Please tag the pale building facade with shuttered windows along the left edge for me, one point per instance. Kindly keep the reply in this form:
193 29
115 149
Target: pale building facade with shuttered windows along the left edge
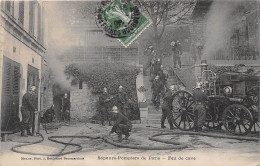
22 50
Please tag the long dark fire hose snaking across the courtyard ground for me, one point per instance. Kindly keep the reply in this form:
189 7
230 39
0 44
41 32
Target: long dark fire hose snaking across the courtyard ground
173 144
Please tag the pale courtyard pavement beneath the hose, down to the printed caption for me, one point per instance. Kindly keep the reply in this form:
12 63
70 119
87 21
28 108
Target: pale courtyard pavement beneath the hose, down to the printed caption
201 151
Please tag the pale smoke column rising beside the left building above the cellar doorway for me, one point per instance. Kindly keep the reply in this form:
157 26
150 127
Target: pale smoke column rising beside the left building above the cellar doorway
59 39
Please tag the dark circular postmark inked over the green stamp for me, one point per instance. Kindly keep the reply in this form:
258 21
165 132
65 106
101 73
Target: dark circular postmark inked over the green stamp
117 18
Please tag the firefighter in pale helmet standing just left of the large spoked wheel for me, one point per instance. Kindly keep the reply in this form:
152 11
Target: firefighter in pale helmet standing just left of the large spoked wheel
167 107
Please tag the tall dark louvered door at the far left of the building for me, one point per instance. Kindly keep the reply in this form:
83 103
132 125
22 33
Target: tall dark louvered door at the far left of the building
10 95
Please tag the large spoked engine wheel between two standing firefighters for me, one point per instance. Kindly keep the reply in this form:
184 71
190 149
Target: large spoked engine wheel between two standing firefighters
183 116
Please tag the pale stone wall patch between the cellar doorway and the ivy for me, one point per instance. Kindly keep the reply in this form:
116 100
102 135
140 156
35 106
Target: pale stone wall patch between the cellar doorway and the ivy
82 102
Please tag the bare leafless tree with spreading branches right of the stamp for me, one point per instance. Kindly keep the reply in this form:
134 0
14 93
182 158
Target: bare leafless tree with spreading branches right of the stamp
166 12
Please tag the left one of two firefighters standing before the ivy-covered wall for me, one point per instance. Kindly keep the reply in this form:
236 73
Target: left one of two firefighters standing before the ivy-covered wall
104 100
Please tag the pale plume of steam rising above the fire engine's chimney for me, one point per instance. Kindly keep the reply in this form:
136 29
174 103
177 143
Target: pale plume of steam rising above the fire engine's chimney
218 27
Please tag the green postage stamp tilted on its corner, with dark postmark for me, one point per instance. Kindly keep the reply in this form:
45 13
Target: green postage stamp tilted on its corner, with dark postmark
121 19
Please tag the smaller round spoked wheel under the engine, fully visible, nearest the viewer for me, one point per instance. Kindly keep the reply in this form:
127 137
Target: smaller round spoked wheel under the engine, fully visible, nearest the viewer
237 119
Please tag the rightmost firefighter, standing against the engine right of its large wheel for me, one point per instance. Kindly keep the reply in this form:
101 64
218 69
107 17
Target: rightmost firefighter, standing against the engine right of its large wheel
199 109
